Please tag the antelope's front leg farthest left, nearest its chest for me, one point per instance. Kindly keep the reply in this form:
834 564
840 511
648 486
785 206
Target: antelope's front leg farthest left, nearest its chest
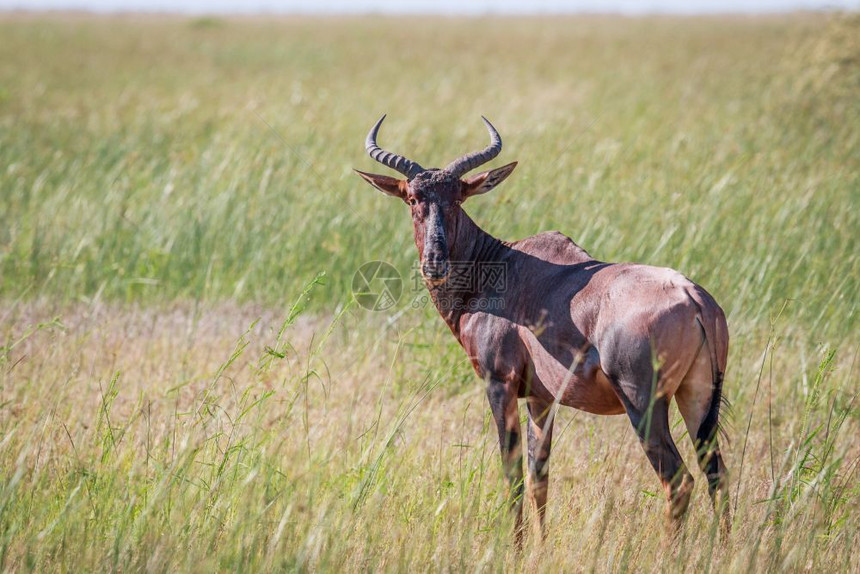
503 403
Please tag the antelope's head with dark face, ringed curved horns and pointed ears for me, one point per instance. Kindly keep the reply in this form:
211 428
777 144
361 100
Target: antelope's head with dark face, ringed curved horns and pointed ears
435 195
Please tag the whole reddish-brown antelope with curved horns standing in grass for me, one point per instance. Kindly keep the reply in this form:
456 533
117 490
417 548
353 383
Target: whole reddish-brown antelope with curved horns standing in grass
567 329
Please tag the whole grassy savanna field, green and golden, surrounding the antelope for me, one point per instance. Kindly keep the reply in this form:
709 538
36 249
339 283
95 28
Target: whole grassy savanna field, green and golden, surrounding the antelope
188 384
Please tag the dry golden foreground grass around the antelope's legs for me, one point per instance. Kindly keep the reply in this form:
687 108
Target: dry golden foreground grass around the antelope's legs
135 445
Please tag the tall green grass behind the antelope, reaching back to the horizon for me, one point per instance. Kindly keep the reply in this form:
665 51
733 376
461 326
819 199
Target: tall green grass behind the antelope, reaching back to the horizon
149 159
